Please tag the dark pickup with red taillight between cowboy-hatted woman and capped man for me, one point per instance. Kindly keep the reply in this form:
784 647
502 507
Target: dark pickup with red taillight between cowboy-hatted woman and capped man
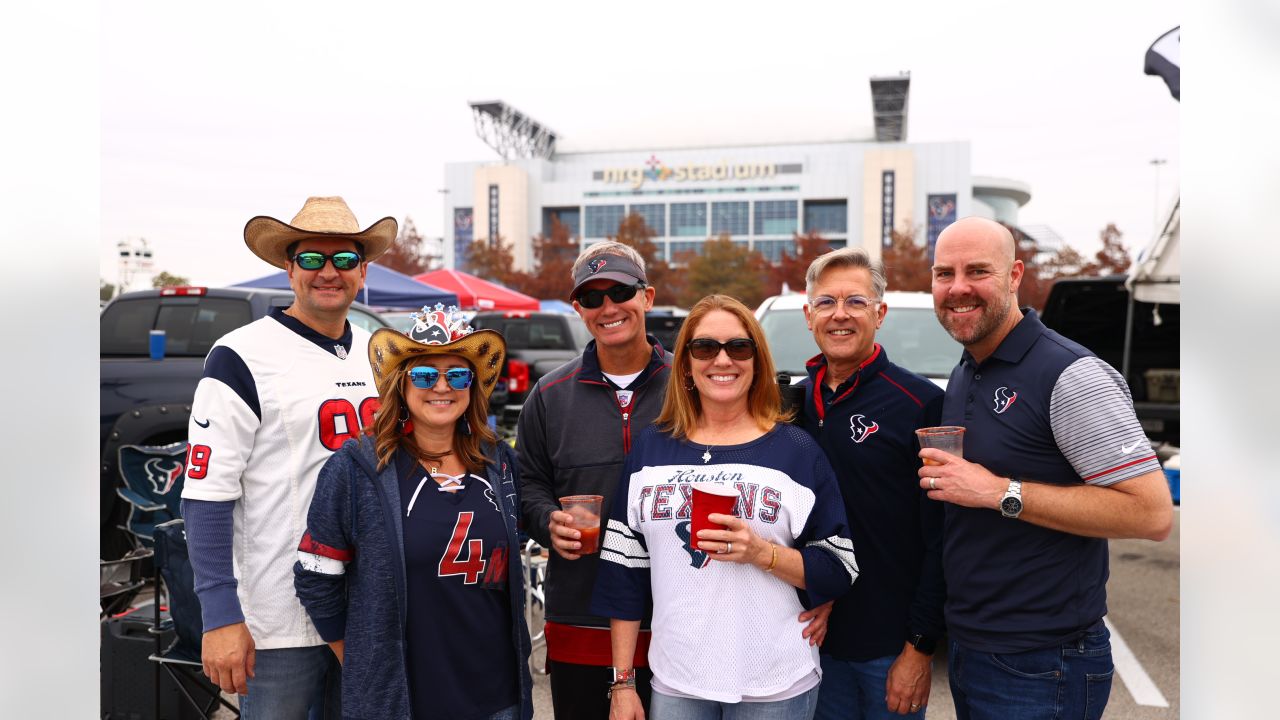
537 344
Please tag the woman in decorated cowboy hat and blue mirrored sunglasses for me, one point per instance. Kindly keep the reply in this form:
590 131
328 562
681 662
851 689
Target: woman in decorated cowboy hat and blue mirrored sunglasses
410 567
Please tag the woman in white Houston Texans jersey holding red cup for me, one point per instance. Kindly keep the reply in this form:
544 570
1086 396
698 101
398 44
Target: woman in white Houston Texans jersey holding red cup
729 605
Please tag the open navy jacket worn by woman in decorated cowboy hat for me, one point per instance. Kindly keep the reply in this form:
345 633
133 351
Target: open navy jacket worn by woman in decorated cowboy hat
355 517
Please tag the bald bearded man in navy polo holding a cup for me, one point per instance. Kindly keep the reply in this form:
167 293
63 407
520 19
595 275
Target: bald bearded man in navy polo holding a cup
1054 463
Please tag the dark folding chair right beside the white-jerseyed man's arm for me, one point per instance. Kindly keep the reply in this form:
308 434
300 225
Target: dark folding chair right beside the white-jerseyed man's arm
181 660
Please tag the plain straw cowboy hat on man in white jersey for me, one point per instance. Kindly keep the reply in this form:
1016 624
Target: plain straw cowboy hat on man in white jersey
326 218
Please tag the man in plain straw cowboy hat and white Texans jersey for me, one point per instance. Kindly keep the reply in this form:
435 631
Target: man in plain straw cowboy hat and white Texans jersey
277 399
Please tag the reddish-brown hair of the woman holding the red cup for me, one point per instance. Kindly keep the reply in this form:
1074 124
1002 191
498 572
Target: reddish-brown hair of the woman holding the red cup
683 408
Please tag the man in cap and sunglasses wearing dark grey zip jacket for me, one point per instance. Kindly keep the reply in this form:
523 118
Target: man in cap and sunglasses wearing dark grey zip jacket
575 432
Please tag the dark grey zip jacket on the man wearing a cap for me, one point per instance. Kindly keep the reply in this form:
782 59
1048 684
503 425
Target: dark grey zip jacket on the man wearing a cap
573 440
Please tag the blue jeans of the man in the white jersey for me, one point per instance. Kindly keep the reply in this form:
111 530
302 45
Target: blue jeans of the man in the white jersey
294 683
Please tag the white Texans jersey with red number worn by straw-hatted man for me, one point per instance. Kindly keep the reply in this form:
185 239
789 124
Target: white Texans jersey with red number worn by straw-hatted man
272 409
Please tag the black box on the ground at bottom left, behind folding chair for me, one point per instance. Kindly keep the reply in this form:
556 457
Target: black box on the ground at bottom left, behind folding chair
129 678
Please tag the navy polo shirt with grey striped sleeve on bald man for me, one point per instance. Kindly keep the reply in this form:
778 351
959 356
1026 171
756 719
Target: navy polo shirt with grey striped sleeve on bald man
1041 409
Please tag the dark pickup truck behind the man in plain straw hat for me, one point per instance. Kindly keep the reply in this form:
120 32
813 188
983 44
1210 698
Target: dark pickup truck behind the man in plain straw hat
147 402
